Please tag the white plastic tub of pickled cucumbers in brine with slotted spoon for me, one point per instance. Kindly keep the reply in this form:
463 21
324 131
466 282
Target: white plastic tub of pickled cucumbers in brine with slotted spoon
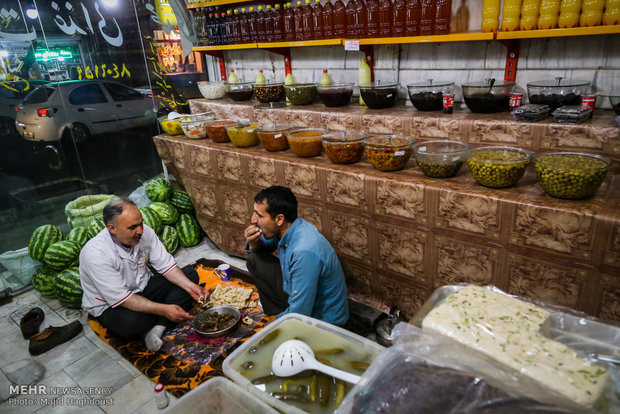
319 335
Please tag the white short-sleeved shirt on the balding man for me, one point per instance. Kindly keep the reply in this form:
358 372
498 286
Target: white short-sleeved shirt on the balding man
110 273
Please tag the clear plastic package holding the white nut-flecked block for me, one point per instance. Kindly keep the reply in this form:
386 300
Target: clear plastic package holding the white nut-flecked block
545 347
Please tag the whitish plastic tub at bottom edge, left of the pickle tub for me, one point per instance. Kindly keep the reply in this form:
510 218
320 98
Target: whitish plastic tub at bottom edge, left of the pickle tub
219 396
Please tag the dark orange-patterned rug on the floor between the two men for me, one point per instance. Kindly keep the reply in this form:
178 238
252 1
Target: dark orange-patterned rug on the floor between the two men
186 360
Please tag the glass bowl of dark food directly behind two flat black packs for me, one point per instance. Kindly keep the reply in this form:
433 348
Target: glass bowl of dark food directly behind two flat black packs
557 92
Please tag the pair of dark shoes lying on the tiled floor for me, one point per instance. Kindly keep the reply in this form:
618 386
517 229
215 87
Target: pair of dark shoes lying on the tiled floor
48 338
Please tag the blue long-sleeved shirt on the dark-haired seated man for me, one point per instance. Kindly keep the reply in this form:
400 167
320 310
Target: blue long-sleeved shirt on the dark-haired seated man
311 273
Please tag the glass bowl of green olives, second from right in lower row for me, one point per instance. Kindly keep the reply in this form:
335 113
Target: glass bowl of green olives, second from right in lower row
498 166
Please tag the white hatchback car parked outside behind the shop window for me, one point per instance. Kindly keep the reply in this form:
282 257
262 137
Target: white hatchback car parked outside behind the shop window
78 109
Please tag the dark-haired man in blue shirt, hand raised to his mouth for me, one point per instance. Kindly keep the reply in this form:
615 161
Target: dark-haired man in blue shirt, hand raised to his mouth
294 267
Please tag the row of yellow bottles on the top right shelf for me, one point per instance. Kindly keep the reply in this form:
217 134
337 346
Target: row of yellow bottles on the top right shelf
549 14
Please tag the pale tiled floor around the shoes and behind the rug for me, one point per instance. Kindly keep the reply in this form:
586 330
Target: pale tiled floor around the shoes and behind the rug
85 361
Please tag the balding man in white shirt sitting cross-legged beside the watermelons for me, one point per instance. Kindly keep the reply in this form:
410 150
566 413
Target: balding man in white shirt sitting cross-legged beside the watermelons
121 290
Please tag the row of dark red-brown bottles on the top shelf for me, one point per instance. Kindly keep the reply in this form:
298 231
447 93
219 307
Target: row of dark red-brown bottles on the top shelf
358 19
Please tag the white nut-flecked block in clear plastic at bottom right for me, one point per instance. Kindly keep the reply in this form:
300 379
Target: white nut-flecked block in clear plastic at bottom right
508 330
